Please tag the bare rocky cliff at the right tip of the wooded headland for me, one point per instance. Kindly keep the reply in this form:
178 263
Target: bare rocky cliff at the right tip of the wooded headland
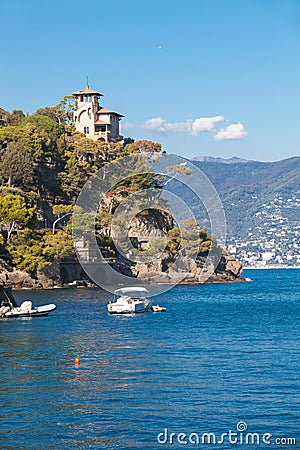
149 231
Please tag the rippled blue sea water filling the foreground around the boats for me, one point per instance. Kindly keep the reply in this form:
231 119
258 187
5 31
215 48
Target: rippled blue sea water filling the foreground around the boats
220 355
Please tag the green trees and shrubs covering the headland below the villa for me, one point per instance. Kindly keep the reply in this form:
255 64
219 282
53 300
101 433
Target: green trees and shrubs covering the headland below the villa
44 164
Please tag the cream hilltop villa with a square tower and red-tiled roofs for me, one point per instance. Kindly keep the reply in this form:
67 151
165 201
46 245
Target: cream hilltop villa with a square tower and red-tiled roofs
96 122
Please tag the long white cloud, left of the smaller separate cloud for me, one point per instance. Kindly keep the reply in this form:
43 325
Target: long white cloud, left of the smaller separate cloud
193 127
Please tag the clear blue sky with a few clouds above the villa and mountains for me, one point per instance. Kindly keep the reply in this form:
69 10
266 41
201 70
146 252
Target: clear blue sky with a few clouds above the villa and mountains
203 77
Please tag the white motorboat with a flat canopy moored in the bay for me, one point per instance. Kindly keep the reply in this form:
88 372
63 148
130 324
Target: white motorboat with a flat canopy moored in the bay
129 300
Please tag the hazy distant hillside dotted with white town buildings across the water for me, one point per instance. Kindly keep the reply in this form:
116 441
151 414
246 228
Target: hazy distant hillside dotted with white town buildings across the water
261 202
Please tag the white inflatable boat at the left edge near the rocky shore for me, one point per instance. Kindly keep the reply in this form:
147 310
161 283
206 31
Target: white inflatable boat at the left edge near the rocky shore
10 308
